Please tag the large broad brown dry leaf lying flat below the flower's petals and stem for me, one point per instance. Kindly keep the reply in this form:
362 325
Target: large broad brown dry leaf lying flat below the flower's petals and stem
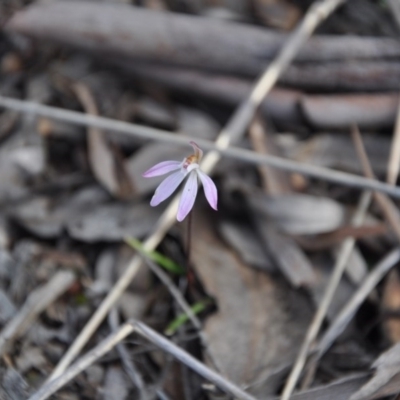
258 323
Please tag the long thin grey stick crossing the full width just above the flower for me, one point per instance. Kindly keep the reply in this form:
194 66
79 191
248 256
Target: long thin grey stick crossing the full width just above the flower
249 156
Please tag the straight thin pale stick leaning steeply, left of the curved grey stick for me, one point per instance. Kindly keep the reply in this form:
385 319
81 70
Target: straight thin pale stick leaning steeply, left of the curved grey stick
334 280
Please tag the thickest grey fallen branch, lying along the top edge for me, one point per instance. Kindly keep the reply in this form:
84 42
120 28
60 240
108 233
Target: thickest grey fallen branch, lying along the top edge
233 48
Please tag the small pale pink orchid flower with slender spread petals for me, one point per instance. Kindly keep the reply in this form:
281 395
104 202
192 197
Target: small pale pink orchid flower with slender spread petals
189 166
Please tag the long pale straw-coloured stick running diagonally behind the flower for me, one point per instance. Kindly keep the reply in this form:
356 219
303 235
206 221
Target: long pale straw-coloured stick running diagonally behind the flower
234 129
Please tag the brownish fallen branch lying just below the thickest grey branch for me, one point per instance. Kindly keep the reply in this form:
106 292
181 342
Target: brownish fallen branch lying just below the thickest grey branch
285 107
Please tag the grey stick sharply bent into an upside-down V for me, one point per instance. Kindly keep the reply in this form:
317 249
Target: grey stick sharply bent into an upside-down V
152 336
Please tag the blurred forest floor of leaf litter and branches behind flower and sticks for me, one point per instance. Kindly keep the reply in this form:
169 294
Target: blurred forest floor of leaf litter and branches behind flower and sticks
71 196
